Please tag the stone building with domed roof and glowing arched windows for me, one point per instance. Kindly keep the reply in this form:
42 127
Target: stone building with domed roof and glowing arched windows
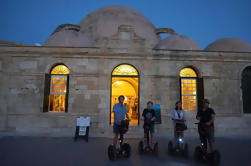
81 69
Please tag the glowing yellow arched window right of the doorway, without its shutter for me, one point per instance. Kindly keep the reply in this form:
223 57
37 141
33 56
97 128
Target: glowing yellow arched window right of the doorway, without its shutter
188 89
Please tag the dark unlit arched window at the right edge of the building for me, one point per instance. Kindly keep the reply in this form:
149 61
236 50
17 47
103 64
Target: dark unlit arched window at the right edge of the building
246 89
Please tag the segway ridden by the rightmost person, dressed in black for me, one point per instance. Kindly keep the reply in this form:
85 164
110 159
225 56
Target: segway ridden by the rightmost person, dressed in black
200 153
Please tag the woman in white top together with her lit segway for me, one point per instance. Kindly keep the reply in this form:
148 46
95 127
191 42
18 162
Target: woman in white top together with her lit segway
178 145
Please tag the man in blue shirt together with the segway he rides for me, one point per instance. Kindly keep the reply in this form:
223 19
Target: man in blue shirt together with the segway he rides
120 127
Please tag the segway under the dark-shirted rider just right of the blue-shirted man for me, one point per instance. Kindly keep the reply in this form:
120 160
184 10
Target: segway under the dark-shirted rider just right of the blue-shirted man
148 148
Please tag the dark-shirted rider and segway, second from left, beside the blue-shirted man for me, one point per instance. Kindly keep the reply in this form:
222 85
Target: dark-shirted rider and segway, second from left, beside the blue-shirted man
147 145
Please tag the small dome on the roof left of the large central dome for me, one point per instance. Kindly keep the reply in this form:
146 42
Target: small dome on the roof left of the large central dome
68 38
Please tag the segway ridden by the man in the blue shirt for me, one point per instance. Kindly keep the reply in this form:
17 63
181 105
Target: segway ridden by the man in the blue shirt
124 149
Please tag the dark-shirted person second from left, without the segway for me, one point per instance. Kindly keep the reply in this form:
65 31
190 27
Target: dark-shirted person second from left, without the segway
148 116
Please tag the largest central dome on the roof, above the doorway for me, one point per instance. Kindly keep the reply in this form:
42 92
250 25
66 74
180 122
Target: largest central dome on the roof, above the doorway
104 23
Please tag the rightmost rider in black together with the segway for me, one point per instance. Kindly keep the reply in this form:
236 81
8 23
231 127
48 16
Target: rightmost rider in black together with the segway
204 152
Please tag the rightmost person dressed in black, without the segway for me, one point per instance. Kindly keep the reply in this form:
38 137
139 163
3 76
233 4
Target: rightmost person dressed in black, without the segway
206 117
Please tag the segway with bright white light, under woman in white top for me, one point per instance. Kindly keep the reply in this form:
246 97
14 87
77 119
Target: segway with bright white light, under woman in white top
178 146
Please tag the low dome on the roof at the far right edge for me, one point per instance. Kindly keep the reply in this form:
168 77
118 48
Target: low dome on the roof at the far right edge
229 44
